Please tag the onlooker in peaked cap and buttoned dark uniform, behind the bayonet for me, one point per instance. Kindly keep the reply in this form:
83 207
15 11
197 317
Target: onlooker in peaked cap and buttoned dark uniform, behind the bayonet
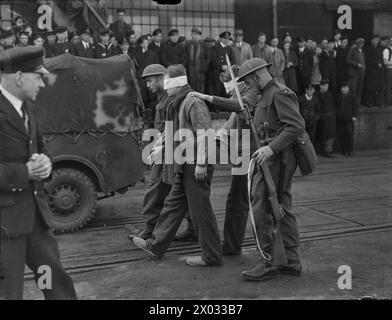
219 63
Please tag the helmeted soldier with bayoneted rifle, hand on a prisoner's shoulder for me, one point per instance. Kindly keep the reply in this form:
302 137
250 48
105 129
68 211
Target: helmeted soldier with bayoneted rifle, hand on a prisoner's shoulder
277 120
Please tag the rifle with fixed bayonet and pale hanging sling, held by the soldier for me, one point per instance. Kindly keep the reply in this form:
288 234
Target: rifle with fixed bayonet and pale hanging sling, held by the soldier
279 252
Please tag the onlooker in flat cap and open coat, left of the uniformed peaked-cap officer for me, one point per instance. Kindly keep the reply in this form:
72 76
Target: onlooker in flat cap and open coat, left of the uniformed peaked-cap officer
198 58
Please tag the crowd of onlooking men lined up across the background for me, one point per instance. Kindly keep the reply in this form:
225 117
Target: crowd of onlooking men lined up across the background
334 68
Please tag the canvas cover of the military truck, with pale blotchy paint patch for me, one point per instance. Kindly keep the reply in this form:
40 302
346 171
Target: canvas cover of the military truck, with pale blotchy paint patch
86 95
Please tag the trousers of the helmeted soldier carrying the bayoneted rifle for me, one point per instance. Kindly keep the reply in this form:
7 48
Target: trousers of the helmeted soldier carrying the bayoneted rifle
282 169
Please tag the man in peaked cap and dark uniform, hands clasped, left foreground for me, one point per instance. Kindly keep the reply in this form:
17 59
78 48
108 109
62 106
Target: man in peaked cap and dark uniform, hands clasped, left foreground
24 167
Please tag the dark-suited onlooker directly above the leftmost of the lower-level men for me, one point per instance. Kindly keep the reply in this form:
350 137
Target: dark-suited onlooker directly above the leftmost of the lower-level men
305 65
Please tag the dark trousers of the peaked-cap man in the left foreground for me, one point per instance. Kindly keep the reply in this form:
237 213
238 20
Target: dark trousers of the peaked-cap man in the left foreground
35 250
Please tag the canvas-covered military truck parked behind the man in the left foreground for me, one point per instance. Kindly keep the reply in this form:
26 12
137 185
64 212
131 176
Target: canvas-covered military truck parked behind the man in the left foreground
90 116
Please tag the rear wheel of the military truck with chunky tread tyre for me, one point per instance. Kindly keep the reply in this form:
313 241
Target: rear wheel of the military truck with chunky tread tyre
72 199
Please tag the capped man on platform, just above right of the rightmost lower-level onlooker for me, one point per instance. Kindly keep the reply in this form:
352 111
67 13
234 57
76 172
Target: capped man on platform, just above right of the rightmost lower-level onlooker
356 62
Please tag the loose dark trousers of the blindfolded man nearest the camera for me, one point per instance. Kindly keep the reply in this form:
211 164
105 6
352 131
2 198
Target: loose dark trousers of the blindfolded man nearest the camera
188 194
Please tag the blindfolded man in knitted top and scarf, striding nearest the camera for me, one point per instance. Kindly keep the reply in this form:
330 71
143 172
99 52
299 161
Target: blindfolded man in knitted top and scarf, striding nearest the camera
192 186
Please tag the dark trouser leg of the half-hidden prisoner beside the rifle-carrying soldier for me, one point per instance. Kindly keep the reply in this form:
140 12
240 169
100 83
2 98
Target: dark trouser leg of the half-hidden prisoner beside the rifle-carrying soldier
237 210
